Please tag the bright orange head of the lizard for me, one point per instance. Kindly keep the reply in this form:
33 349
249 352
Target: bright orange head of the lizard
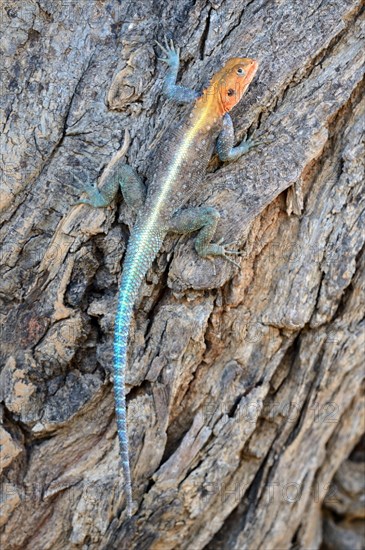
229 84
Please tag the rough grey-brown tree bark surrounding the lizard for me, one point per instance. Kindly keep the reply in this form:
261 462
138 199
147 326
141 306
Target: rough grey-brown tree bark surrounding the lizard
245 388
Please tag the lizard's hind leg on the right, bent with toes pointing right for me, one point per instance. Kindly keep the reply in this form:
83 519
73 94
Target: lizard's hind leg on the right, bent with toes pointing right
205 219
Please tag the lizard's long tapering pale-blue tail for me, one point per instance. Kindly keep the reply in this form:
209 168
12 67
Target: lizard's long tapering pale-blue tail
142 249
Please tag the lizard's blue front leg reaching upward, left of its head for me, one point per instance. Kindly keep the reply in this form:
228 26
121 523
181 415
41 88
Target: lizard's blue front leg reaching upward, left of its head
181 94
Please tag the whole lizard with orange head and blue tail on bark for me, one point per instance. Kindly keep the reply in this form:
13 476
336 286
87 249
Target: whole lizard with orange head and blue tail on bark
176 169
